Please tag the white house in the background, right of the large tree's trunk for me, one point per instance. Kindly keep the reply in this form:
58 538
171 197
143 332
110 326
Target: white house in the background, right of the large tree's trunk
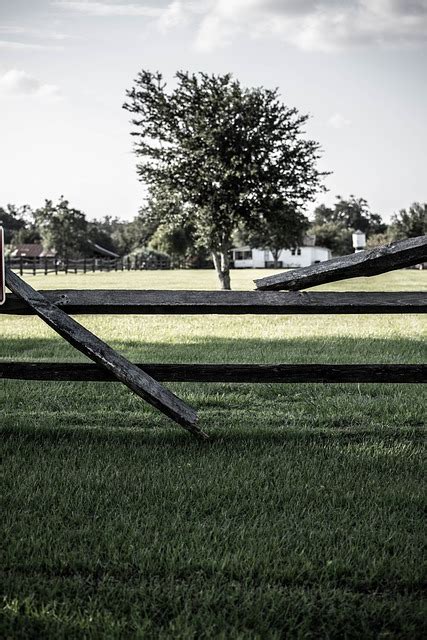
304 256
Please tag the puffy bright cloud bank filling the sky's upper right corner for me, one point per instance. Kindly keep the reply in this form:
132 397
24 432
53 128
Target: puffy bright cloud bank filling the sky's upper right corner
315 25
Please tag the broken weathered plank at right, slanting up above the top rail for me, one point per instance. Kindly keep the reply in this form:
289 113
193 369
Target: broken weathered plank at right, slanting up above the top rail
397 255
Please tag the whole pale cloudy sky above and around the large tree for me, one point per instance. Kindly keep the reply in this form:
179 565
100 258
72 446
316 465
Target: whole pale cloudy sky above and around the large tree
357 66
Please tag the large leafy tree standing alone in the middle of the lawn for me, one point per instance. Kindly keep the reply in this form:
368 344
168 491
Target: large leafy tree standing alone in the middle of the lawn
231 154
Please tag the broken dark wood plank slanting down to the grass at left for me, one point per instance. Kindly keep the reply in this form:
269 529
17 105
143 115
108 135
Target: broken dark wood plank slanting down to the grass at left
79 337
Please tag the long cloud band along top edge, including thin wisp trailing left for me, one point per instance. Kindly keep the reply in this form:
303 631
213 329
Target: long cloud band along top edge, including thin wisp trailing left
311 25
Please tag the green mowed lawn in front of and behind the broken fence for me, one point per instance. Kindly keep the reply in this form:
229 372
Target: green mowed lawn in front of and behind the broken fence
302 518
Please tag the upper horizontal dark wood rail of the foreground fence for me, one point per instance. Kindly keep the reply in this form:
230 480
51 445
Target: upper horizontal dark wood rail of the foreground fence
224 302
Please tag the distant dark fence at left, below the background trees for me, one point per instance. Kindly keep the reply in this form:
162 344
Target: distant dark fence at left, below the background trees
85 265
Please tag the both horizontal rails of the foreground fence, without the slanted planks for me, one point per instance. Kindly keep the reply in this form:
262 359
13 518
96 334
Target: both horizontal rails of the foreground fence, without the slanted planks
225 302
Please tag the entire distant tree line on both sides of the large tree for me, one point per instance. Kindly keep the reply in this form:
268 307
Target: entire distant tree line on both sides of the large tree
67 230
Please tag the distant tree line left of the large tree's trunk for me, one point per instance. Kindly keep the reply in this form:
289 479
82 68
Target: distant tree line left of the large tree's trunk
68 231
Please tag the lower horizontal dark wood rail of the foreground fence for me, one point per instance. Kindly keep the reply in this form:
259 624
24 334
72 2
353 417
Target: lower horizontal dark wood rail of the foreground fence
254 373
